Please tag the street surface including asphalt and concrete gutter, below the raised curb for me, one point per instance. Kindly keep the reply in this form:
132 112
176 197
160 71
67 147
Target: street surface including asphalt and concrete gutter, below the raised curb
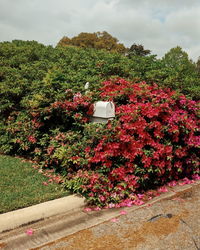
169 213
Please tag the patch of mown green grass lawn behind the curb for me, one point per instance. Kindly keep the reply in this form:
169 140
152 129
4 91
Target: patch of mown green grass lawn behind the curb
21 185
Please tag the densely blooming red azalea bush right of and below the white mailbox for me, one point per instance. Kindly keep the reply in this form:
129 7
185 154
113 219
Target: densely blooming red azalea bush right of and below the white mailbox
153 140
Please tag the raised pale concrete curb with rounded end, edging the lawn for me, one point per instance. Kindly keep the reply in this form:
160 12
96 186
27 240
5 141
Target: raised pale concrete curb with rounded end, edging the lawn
14 219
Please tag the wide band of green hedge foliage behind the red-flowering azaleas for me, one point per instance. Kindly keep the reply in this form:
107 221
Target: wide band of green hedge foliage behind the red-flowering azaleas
34 74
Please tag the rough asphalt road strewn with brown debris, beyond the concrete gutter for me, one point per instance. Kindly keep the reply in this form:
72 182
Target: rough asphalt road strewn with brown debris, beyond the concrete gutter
168 224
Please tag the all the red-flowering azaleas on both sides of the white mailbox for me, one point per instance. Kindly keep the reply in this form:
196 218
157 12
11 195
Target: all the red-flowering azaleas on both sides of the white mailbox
153 140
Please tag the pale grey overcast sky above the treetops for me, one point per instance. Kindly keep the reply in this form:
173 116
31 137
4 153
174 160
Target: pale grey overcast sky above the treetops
156 24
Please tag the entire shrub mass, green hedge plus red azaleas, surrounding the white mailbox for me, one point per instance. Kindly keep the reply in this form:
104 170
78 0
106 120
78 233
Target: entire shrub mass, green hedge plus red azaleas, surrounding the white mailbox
44 115
